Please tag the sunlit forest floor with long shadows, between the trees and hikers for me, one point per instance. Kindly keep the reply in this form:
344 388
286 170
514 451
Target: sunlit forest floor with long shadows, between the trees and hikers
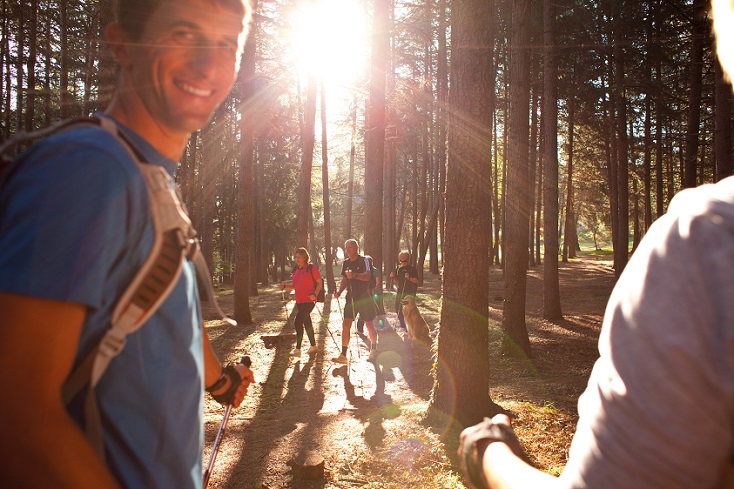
367 420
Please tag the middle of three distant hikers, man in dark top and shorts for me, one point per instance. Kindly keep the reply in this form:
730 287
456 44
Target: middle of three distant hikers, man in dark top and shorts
356 274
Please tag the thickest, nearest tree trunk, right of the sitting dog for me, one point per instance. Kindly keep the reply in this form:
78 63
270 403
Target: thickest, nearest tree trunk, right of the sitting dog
461 376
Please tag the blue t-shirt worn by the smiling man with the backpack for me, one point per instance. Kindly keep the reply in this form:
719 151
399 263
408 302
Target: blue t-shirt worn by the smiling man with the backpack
75 226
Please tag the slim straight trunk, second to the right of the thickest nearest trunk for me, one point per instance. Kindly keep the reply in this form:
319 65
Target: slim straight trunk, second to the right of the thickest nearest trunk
551 289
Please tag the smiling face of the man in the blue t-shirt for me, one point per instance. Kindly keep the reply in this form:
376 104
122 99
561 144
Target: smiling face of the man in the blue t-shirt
185 62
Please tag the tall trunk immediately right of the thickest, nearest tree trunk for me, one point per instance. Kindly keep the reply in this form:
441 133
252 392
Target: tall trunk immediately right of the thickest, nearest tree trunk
518 183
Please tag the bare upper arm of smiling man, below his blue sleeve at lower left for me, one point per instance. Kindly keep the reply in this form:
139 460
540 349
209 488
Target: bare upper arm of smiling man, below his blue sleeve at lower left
41 444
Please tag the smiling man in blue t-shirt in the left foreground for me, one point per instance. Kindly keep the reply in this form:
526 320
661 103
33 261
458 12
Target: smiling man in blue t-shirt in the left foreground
75 227
